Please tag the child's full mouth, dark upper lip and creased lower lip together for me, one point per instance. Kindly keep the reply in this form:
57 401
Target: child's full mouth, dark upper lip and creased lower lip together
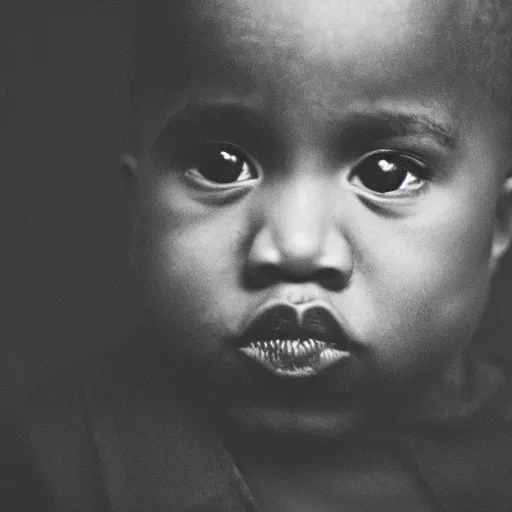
296 342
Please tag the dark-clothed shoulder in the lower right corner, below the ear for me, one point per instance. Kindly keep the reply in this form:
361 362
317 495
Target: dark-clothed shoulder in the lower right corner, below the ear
467 466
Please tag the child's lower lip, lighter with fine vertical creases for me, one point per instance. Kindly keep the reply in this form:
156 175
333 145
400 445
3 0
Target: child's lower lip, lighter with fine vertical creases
294 358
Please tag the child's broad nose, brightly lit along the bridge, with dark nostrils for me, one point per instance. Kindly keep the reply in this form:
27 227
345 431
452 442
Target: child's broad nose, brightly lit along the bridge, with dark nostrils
300 239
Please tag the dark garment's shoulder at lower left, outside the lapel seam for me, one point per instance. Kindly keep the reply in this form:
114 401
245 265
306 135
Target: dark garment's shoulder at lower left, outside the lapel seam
47 438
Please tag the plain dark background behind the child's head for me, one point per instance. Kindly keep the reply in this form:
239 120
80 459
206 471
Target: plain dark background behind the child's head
65 231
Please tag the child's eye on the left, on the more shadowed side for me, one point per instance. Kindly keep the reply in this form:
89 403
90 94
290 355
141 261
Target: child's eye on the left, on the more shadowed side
221 163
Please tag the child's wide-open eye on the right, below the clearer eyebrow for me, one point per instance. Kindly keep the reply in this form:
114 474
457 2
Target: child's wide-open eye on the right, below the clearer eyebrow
387 172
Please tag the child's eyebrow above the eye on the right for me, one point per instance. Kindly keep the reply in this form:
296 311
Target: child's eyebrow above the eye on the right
386 123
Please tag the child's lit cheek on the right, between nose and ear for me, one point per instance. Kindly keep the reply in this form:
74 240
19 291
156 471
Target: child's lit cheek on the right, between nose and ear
427 303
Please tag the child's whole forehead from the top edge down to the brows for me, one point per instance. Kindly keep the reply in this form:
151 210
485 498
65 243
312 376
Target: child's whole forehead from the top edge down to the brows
301 53
